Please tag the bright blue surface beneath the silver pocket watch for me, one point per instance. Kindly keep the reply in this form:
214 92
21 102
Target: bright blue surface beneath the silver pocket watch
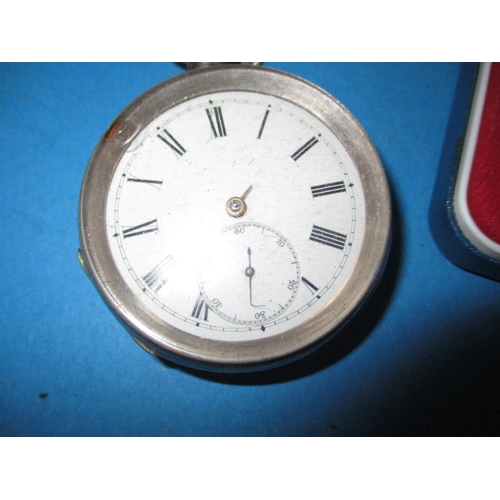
421 358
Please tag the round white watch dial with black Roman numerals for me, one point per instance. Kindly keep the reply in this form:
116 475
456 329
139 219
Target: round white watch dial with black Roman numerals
166 214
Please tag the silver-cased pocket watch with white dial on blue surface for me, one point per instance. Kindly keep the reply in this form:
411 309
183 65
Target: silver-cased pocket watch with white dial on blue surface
234 218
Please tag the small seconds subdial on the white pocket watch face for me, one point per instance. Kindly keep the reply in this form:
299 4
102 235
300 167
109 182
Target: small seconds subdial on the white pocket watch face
251 275
